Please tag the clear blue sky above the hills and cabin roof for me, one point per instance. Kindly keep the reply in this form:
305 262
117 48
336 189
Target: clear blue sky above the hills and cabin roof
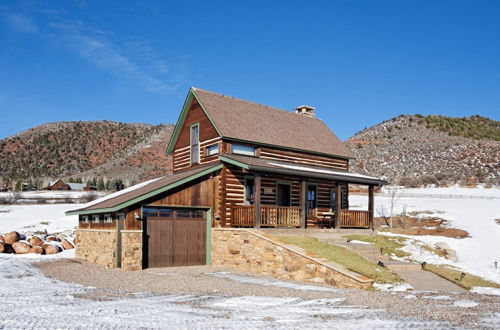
357 62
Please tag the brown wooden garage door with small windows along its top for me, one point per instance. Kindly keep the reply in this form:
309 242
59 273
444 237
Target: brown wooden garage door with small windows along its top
176 237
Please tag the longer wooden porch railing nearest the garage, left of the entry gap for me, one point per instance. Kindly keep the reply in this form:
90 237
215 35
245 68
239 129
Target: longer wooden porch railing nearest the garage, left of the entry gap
270 216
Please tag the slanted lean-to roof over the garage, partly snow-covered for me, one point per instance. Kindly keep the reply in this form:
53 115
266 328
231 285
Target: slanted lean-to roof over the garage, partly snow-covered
142 190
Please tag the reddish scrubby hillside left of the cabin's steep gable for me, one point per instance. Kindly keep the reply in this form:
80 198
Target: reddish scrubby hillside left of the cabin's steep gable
86 149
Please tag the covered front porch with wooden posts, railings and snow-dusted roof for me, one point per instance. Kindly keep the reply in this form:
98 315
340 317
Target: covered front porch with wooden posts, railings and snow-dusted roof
298 196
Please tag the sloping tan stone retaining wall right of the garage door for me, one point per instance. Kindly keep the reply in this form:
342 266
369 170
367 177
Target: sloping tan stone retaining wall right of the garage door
249 251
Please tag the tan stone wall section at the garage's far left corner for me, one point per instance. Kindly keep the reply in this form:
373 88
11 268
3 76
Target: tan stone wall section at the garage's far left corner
96 246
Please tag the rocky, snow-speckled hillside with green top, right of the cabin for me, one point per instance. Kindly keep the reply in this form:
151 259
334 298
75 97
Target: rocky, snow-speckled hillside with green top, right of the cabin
430 150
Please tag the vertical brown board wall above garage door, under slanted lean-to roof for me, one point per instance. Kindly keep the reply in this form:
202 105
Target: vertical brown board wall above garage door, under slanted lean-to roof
202 192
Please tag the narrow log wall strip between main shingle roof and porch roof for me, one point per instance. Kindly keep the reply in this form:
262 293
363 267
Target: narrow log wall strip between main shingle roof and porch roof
304 158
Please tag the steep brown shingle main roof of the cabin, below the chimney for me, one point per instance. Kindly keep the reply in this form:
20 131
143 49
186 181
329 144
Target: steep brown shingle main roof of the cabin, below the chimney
243 120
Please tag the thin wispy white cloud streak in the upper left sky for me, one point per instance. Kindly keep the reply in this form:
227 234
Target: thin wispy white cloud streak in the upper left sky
134 62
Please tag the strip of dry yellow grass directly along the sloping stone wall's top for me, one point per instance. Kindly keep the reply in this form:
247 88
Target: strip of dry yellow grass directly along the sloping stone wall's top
349 259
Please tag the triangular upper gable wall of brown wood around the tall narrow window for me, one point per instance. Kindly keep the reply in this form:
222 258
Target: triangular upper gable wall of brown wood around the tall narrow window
208 136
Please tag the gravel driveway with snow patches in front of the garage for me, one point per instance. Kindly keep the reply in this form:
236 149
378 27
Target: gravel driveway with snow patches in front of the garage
469 310
